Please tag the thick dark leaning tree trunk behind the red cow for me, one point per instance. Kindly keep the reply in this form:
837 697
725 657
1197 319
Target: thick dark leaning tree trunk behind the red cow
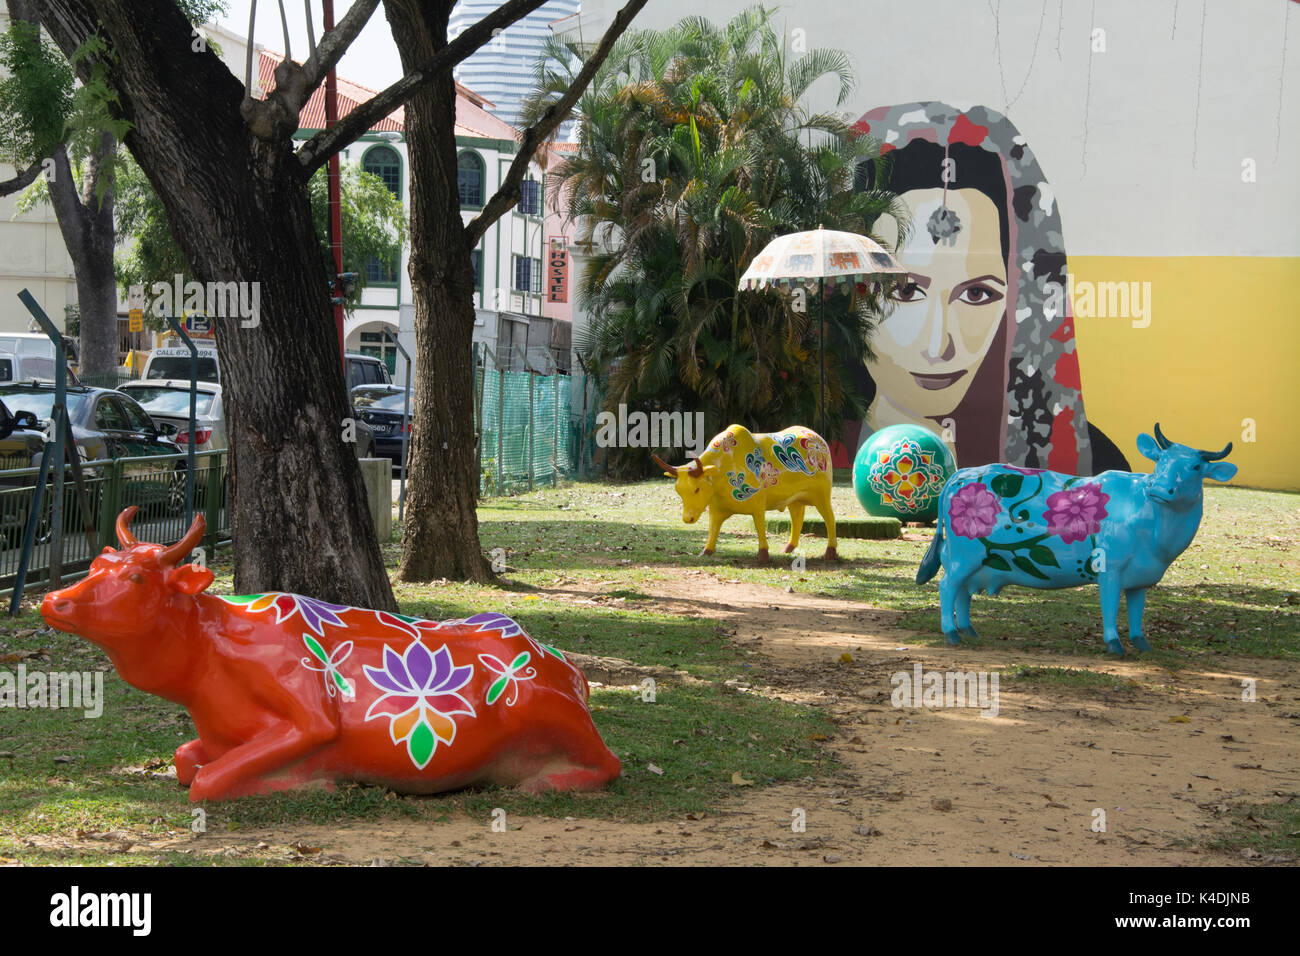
241 214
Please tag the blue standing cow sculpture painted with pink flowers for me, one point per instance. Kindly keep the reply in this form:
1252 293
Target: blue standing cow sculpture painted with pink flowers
1000 526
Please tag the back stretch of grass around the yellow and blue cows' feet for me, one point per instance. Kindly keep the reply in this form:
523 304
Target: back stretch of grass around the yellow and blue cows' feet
1232 592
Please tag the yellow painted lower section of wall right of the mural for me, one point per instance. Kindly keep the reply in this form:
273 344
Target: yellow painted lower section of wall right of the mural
1220 352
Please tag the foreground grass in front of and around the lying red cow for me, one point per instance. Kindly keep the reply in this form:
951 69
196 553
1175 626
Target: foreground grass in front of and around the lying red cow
699 736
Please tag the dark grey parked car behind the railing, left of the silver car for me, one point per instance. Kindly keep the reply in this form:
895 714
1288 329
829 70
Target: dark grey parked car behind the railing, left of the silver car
110 425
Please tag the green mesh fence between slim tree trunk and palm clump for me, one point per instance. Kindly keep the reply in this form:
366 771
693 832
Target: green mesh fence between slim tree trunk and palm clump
526 432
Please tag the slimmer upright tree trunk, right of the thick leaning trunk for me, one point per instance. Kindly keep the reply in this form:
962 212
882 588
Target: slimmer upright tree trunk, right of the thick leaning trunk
440 538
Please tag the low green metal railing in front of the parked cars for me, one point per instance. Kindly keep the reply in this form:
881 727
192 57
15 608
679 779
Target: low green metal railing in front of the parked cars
155 486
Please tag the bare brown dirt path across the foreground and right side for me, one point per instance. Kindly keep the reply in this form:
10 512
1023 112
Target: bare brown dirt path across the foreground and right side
1162 756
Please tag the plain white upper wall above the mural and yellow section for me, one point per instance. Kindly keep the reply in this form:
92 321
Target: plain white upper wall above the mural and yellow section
1117 149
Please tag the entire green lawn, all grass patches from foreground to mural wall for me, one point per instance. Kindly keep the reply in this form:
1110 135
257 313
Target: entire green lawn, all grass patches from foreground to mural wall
1232 592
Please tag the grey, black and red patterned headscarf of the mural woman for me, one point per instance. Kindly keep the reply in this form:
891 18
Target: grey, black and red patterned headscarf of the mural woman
1042 422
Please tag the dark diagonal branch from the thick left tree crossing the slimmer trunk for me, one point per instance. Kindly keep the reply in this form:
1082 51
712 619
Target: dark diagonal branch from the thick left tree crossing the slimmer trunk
326 144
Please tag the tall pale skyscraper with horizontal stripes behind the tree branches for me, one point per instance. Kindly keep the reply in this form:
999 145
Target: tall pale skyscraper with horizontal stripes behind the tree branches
504 70
